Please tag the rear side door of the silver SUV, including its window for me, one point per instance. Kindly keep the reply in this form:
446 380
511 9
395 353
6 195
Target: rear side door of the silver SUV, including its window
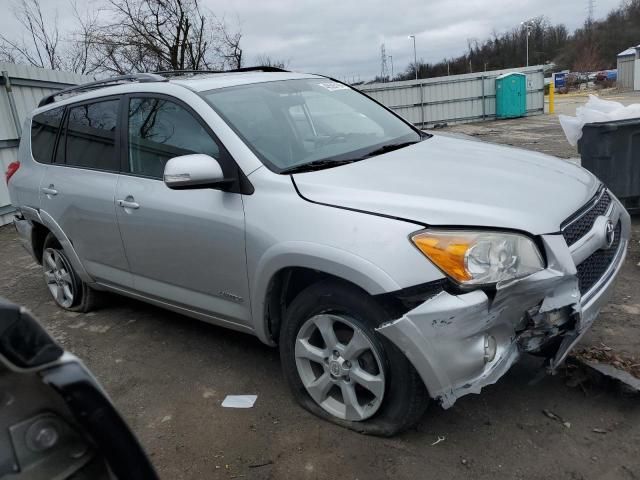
78 189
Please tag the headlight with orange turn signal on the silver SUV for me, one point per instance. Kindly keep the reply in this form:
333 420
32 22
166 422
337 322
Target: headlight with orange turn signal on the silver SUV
474 258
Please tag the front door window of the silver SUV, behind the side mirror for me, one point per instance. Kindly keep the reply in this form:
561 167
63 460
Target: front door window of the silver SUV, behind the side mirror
160 129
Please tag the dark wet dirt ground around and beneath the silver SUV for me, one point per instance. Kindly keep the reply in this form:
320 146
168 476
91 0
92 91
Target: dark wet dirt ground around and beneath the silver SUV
168 375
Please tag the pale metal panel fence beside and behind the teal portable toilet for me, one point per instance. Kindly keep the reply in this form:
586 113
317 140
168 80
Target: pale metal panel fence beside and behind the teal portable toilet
453 99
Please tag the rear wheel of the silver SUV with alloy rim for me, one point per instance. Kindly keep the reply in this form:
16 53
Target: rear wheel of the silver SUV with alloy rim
64 284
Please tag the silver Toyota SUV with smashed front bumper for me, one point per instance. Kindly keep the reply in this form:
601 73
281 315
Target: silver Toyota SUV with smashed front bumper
390 266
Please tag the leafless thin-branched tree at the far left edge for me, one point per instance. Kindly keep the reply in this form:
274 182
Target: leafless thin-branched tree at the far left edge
40 46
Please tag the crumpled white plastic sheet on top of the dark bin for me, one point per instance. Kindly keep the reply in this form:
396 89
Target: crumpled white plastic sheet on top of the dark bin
595 110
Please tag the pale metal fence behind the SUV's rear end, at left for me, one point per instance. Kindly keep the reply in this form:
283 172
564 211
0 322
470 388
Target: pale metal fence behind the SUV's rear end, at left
21 88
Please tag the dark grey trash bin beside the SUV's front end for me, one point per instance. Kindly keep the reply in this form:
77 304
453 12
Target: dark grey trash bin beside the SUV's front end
611 150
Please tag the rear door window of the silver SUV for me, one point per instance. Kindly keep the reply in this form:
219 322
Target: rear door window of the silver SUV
91 132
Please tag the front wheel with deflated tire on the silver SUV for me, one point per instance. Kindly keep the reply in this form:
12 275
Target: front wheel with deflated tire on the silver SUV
339 368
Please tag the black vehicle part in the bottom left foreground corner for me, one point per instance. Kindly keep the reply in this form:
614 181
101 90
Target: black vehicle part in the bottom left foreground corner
56 421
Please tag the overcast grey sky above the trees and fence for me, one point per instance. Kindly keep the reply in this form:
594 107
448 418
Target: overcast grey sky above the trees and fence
342 38
